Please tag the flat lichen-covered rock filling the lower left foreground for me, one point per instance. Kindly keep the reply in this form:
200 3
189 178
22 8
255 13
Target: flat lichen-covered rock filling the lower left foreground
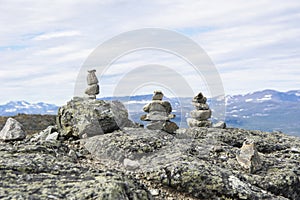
34 170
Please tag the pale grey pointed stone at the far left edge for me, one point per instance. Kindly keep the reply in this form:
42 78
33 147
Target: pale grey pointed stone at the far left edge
12 130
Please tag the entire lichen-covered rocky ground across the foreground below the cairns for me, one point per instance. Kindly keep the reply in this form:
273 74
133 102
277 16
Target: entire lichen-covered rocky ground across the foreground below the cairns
134 163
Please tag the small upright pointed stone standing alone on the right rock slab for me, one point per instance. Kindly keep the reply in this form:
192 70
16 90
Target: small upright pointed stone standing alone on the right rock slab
248 157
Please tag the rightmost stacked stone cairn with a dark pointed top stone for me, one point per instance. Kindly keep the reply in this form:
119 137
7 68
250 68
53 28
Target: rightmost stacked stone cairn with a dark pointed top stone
200 116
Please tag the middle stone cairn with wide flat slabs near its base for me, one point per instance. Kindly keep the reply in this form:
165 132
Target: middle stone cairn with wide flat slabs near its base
159 114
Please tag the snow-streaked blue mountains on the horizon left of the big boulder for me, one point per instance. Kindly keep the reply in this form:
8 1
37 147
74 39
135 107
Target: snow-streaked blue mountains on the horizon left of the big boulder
17 107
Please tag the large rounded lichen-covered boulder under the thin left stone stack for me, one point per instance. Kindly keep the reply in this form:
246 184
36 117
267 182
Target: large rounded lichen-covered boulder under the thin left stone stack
83 117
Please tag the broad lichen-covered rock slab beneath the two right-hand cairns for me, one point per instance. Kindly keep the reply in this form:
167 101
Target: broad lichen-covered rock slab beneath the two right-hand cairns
201 162
